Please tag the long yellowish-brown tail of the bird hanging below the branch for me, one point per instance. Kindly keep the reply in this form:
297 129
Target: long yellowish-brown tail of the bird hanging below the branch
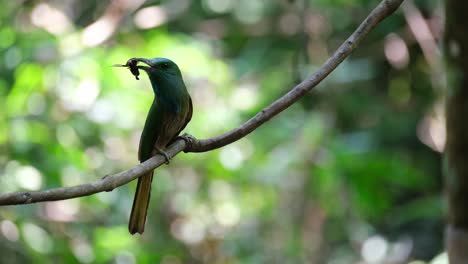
140 204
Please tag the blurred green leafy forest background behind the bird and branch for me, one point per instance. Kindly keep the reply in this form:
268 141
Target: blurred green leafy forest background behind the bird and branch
350 174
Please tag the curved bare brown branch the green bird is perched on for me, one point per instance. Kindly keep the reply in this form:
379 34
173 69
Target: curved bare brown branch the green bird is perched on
108 183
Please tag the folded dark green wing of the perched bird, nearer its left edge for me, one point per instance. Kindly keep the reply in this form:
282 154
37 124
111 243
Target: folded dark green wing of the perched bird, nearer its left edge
151 132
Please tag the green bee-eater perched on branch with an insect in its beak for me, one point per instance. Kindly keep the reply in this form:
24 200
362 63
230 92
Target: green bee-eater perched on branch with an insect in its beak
168 115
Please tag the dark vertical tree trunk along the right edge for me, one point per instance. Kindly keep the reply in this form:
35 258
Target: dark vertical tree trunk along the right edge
456 152
